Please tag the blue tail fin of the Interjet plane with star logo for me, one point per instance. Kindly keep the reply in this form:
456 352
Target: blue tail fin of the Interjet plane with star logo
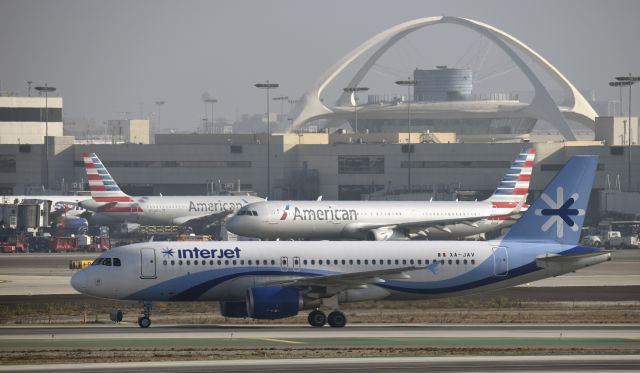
558 214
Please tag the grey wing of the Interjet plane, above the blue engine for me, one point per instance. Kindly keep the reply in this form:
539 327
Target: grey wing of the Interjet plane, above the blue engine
331 284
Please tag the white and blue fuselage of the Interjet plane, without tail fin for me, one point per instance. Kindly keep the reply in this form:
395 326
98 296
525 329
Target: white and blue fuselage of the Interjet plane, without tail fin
223 271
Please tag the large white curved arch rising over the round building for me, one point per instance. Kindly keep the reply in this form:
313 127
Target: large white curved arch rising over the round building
542 106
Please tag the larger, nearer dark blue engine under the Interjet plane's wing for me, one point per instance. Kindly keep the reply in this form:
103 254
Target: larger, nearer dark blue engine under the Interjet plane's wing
273 302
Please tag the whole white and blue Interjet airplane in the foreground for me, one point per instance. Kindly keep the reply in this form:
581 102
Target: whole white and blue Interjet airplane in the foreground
277 279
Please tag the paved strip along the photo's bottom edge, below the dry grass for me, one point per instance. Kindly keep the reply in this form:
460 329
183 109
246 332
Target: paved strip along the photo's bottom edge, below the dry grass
567 363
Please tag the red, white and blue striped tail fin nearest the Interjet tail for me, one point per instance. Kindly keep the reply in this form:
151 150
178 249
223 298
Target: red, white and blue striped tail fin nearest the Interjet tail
514 186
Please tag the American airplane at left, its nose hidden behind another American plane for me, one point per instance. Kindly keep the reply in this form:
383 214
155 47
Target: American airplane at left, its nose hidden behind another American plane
112 205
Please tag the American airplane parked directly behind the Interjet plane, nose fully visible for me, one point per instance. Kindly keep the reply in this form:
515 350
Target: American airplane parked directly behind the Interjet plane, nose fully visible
385 220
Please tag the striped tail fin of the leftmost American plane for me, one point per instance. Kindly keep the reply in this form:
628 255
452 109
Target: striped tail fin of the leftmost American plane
102 186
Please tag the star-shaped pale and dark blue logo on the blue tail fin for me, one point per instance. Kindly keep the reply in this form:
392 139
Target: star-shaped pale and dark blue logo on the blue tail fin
559 212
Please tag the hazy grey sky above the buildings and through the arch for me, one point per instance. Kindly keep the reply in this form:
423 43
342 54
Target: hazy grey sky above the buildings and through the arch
111 57
